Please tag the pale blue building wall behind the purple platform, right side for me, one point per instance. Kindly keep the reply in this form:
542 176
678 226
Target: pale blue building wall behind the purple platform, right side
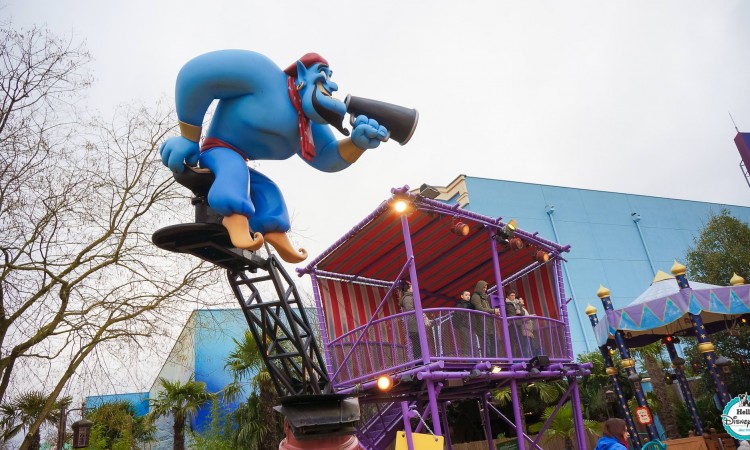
606 247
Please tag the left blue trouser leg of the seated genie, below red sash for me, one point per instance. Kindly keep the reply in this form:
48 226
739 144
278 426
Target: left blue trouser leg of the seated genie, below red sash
229 192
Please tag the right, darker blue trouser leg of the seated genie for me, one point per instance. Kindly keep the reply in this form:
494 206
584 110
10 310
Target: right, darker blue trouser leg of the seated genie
270 209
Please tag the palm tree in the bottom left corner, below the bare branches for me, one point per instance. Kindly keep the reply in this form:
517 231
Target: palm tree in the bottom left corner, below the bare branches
17 415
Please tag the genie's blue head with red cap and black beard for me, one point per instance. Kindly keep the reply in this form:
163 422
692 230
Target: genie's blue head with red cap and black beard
313 81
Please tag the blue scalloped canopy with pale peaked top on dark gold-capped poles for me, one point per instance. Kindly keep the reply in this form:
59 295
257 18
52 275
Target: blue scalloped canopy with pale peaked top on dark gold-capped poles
664 309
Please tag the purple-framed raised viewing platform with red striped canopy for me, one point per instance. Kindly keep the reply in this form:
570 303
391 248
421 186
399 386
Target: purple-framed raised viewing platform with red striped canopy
456 359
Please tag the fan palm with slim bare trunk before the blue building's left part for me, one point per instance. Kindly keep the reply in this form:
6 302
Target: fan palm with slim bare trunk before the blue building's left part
182 401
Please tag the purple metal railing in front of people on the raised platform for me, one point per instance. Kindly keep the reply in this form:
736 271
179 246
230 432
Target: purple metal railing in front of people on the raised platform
391 345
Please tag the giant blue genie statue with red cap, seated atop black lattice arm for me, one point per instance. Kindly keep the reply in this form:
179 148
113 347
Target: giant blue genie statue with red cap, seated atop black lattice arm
263 113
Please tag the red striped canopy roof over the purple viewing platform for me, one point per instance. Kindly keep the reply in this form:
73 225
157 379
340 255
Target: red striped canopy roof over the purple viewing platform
375 248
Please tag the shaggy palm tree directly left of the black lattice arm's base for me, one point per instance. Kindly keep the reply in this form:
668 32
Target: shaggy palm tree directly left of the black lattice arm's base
256 428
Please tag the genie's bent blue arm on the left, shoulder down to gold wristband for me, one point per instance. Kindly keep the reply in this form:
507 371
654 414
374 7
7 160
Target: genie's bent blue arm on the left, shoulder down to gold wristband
218 75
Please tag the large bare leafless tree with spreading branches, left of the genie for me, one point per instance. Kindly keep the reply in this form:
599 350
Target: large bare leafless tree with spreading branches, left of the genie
79 200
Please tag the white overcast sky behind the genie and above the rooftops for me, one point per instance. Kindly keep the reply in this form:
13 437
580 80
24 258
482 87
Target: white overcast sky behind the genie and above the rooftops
624 96
